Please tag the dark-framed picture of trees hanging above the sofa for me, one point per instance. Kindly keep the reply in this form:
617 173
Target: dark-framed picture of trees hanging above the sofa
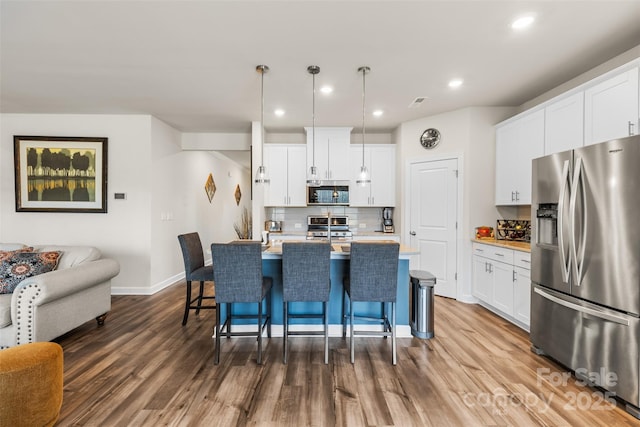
60 174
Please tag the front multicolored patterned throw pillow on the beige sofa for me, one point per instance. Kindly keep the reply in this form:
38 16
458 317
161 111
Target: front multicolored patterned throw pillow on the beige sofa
22 265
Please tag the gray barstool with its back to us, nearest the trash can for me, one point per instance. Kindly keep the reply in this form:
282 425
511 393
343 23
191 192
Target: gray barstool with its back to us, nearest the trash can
373 277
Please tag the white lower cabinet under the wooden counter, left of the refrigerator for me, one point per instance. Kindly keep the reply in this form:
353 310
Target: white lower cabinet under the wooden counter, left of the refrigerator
501 280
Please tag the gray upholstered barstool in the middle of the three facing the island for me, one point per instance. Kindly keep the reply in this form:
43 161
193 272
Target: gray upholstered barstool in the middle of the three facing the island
306 277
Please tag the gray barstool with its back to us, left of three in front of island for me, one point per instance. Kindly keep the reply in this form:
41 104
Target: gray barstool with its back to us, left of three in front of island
237 272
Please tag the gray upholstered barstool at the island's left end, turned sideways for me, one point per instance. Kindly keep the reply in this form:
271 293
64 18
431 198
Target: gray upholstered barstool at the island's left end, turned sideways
195 271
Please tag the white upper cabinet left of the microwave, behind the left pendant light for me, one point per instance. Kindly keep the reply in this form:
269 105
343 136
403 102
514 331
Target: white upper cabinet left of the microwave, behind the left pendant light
286 165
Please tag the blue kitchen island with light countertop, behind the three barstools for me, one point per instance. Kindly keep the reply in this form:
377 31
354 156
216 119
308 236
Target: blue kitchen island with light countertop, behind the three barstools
272 267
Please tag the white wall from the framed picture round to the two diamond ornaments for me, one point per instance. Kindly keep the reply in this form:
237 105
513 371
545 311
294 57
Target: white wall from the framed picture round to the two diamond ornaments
145 161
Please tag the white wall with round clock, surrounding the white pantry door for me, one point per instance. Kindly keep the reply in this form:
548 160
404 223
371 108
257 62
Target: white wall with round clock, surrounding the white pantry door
469 134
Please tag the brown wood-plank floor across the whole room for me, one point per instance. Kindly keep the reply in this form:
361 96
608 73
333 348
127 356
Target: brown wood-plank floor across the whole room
144 369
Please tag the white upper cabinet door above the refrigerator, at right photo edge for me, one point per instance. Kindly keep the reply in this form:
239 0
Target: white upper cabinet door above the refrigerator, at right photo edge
611 108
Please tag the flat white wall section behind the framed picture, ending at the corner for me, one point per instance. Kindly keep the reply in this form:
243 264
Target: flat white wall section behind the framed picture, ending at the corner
122 233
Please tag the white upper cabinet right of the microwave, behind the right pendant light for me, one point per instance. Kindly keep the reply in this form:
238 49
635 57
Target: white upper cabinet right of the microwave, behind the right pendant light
380 161
